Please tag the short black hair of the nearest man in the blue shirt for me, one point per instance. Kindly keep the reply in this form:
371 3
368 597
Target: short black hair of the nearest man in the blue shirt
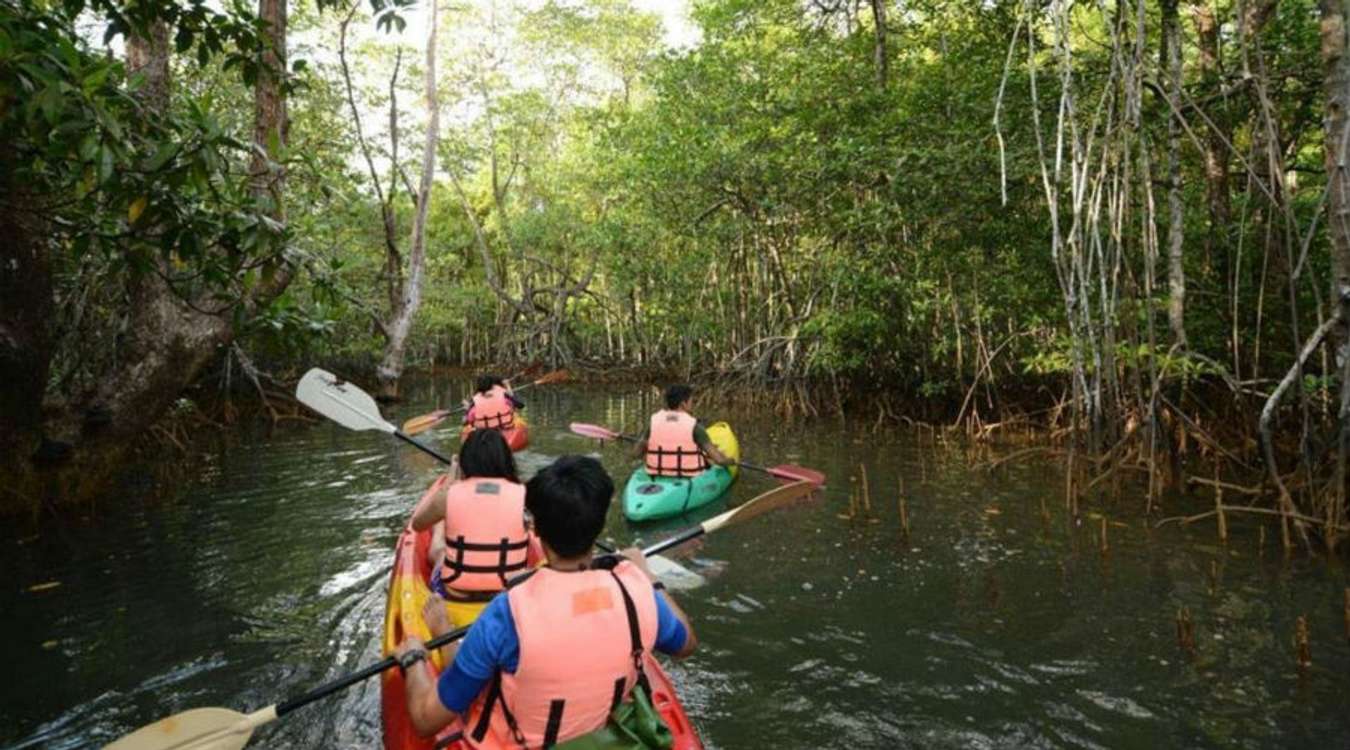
569 501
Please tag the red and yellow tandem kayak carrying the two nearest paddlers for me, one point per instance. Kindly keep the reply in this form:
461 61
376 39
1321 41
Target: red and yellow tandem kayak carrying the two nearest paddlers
408 593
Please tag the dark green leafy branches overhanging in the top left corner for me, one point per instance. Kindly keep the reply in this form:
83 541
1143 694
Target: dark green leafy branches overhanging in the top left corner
122 184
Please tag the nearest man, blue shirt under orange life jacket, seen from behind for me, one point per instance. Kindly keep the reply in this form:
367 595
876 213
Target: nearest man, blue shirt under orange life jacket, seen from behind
551 658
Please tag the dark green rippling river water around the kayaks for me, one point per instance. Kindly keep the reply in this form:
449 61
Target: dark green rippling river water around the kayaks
989 628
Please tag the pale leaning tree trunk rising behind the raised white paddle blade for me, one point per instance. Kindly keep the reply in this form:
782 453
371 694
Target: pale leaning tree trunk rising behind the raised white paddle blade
396 343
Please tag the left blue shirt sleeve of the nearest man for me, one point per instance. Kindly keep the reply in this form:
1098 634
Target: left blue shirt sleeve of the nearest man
491 644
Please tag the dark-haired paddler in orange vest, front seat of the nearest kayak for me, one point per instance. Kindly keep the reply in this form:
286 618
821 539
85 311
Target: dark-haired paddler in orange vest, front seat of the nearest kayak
485 535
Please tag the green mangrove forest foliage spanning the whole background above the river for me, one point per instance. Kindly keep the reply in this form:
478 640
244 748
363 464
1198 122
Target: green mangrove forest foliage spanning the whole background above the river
759 202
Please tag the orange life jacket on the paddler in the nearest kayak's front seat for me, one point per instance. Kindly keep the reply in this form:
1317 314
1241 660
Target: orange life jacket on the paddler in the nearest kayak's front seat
487 542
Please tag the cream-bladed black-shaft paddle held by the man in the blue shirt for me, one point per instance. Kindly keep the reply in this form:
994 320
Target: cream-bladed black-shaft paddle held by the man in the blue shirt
222 729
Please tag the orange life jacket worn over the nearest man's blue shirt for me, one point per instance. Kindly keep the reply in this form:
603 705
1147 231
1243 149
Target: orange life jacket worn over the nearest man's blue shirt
583 636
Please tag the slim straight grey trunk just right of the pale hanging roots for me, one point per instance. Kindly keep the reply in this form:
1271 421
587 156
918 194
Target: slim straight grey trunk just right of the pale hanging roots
1177 217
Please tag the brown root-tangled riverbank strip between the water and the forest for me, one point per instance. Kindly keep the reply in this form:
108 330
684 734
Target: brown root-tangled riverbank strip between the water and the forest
1208 443
